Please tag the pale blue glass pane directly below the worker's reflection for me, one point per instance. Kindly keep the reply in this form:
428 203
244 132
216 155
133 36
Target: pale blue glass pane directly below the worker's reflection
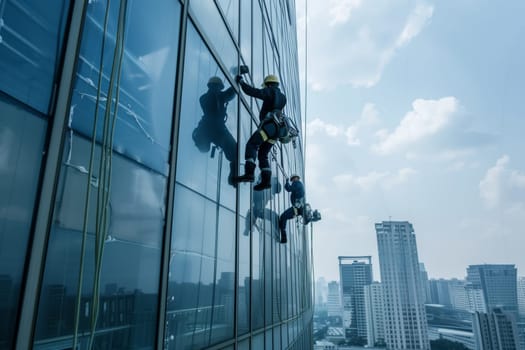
202 270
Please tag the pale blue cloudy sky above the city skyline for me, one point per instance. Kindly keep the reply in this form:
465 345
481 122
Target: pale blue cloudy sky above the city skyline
415 110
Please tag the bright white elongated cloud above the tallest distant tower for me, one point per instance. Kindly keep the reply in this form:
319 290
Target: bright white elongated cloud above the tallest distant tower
426 118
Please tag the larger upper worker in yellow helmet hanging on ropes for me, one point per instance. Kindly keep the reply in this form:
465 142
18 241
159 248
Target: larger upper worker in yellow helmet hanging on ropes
261 142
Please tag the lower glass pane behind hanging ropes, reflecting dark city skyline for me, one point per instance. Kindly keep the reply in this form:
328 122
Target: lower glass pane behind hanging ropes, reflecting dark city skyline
130 241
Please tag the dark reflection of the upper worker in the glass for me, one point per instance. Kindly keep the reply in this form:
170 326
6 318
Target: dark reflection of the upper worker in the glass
212 126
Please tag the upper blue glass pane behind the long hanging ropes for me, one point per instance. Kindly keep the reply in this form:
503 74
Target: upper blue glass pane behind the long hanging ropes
145 86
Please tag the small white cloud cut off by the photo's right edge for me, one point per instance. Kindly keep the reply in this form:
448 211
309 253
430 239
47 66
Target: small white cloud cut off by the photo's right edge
502 186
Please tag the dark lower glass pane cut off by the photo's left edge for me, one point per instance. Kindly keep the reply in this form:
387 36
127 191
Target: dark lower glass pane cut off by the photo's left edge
22 136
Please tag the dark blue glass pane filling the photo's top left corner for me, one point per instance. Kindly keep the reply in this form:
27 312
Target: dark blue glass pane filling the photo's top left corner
31 34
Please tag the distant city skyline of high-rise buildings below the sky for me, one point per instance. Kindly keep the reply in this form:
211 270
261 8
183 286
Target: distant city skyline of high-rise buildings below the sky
409 310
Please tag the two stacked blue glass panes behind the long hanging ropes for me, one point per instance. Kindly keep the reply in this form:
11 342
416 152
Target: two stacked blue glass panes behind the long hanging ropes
102 268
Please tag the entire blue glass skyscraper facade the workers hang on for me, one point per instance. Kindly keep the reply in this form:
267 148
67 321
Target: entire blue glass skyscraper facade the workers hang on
119 228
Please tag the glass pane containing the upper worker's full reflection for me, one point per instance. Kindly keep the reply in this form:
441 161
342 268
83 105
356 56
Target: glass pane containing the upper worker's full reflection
206 143
